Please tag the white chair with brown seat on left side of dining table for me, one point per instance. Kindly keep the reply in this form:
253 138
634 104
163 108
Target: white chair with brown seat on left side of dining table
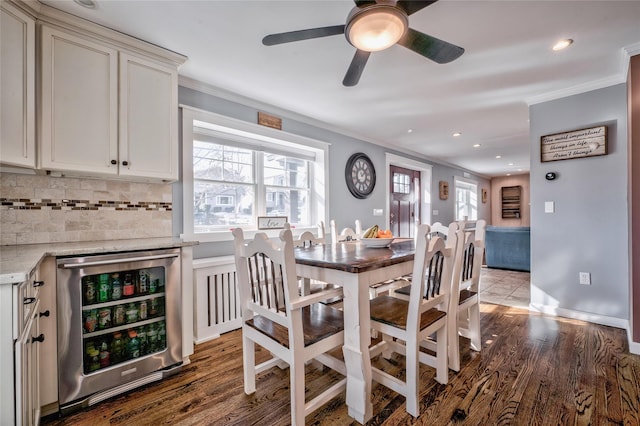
294 328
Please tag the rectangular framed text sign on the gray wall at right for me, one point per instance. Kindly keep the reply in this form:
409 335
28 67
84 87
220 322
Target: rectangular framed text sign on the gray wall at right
575 144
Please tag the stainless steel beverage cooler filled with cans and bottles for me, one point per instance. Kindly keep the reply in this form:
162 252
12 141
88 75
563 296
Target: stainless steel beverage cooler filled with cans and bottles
119 323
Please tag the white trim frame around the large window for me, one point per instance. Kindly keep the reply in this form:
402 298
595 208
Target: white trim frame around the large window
235 129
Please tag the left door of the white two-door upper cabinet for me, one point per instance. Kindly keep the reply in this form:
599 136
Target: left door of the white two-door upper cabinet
79 104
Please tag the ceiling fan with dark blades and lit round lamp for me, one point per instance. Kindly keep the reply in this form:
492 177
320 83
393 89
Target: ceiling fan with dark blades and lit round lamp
374 25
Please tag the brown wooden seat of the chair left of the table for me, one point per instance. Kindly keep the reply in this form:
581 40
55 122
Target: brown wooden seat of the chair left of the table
318 322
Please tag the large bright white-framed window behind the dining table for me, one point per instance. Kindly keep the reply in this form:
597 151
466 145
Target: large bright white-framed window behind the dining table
234 176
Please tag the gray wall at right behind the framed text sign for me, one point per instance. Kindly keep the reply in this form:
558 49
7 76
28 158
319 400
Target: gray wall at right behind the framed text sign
588 231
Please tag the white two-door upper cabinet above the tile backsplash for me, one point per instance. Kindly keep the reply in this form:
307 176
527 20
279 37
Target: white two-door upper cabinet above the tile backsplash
107 108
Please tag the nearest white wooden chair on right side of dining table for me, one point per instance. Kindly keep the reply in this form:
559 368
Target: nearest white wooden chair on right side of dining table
405 325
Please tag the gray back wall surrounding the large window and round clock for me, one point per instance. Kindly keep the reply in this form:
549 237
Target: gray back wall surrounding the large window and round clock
343 207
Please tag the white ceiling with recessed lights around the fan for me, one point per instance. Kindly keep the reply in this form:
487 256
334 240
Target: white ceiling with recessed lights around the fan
508 64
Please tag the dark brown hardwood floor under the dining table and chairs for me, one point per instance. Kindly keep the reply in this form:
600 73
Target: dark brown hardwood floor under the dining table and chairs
533 370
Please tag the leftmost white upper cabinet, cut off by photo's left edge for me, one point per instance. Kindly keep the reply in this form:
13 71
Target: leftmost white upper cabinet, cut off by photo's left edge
17 73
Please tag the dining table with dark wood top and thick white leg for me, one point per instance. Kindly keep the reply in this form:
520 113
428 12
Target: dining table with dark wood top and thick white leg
355 267
